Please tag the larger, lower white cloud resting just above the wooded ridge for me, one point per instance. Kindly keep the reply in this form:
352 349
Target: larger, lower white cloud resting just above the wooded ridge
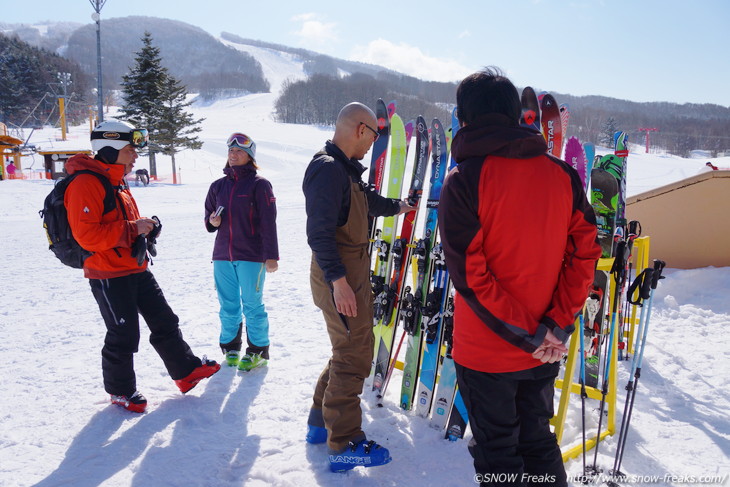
409 60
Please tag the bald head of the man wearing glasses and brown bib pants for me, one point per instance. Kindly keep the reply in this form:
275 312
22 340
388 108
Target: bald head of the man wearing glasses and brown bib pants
354 130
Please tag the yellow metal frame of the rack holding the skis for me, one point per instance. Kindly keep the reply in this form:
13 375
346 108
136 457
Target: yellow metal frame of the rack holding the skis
567 388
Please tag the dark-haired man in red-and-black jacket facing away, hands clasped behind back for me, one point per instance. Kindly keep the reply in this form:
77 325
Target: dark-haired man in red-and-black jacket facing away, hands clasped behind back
519 239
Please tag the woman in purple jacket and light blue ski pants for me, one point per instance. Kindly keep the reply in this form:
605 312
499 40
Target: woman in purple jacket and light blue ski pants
241 207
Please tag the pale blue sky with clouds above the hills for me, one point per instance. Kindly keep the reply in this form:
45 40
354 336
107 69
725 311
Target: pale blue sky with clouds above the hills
642 50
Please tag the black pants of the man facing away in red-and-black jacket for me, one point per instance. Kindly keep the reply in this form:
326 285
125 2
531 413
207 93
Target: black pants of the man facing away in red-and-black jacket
509 415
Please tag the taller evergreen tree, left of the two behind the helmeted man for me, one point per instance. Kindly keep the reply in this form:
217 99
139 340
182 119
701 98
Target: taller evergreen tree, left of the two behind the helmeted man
142 89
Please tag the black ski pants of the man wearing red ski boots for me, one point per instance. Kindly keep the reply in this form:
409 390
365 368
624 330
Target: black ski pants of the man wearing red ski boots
121 300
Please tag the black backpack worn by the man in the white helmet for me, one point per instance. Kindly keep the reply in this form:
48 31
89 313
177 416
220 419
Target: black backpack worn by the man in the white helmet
55 220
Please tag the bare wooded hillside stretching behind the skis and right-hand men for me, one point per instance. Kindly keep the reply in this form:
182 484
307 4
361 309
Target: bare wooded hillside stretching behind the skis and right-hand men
680 128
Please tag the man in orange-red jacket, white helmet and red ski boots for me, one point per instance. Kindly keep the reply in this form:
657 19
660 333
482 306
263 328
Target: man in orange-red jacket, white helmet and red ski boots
119 279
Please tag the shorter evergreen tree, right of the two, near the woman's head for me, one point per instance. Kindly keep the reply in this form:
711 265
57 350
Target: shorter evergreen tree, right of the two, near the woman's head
176 127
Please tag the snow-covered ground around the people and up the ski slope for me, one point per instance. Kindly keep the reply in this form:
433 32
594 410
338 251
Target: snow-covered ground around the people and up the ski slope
248 428
